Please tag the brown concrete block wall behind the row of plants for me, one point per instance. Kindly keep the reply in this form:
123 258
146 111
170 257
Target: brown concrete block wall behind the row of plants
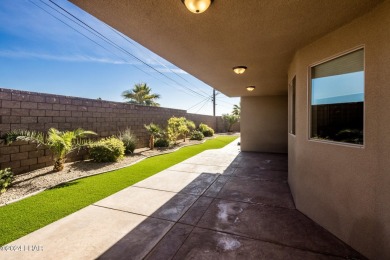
38 111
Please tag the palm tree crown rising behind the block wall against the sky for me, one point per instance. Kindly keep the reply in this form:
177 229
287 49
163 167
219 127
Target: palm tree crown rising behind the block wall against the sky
141 95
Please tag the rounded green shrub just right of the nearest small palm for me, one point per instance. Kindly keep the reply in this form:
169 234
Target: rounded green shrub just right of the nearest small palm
109 149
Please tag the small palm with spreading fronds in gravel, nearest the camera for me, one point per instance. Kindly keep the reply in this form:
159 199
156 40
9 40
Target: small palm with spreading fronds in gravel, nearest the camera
59 143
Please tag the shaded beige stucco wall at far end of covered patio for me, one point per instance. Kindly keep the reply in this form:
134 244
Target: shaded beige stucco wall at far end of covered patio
264 124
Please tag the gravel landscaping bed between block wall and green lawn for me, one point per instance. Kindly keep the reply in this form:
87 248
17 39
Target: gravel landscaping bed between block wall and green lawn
29 183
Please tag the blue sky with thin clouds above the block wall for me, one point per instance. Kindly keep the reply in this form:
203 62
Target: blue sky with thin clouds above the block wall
40 53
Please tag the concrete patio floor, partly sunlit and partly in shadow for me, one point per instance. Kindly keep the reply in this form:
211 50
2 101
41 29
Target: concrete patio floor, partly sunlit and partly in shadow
220 204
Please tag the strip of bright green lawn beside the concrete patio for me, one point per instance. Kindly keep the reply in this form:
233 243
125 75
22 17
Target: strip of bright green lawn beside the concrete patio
25 216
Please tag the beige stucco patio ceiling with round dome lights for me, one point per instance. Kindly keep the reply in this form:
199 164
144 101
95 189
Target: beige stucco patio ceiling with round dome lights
260 34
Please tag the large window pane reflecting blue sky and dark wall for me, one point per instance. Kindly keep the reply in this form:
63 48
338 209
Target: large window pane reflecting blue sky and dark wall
337 99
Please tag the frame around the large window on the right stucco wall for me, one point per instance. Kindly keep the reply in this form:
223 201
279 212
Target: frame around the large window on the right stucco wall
309 98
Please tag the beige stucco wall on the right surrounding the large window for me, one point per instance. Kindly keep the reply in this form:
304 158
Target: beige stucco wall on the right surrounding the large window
347 189
